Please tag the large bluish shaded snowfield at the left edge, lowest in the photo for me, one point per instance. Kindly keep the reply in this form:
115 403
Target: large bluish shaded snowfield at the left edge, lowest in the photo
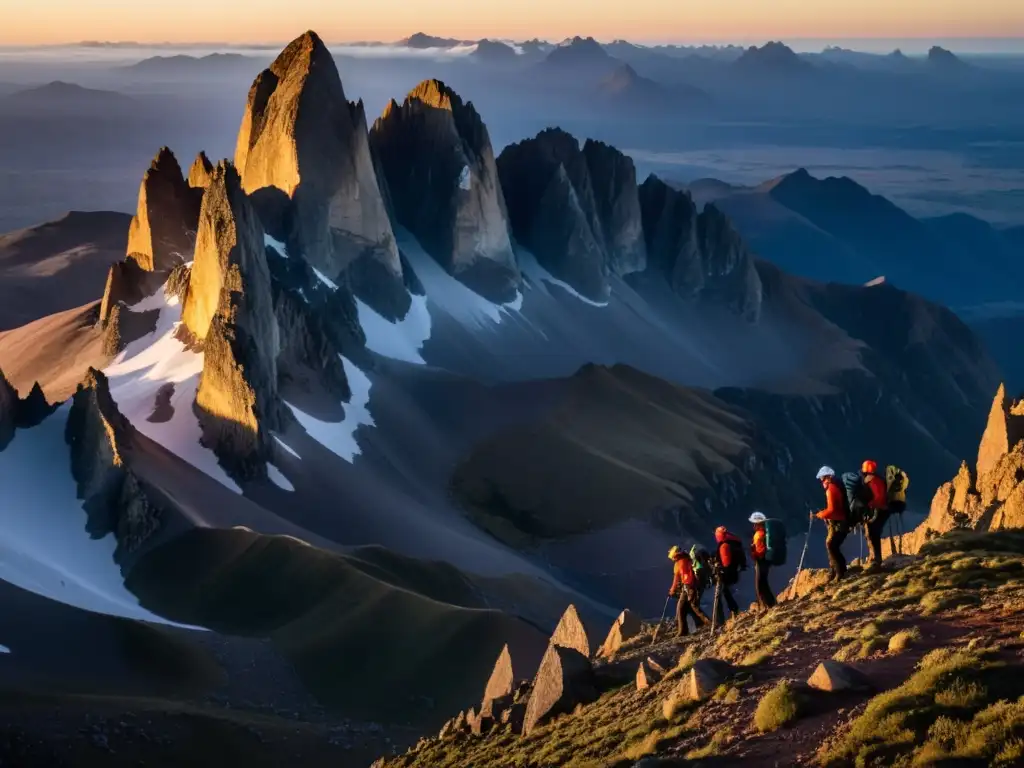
45 547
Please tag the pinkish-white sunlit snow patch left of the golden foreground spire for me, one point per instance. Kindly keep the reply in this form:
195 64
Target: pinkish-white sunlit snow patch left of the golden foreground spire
144 372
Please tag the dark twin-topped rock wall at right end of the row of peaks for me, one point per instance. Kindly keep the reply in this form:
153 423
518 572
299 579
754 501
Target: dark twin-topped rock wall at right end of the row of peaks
701 254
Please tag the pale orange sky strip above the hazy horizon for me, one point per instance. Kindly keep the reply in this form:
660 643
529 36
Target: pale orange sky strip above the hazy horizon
30 22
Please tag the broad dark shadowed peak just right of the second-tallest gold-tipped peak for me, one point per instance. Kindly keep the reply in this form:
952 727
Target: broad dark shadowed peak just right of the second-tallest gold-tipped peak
552 209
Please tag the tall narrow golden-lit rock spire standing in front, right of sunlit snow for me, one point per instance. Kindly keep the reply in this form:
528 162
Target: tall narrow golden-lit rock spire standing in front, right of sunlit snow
229 311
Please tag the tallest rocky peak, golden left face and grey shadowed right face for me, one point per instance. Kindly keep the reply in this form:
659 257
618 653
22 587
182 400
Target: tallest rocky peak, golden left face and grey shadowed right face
304 155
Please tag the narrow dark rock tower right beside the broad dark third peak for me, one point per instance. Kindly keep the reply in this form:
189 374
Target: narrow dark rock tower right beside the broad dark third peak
614 180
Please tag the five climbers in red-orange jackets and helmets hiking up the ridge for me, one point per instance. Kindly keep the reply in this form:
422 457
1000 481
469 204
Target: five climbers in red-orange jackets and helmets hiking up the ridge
867 499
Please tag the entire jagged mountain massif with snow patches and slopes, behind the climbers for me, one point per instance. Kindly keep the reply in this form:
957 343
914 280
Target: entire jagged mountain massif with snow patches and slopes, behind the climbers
373 402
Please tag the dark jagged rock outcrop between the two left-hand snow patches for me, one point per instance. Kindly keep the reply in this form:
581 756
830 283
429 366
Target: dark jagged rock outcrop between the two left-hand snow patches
113 496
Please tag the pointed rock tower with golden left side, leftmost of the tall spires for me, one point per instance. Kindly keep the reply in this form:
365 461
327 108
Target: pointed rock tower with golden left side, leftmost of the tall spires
162 233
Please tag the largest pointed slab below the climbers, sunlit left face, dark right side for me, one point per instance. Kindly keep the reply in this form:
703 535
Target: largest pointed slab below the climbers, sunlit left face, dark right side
564 681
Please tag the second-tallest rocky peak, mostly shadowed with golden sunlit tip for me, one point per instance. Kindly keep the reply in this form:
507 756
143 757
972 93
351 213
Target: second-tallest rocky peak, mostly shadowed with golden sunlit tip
443 180
